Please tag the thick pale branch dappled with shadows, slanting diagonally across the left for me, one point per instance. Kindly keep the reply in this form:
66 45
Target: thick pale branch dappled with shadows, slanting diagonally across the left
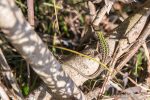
35 52
